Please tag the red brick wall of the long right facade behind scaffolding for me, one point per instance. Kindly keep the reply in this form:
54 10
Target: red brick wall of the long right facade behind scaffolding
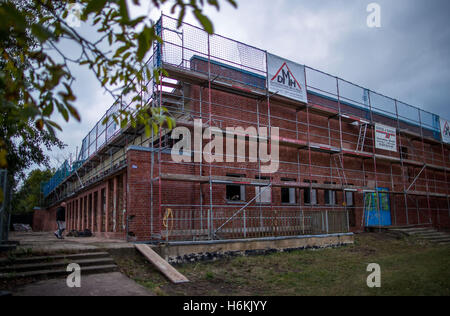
223 116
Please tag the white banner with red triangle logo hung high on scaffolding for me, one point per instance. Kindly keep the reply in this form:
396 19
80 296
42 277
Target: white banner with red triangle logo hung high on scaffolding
286 78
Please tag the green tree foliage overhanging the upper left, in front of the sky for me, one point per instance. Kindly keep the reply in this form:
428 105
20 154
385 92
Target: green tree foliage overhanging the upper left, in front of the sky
35 75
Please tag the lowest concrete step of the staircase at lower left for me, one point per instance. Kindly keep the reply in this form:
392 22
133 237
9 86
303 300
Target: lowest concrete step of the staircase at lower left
58 272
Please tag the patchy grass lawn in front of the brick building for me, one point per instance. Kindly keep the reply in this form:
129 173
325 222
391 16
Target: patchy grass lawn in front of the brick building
408 267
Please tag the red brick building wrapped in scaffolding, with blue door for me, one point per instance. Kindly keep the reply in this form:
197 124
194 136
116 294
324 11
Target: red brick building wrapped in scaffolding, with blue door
349 158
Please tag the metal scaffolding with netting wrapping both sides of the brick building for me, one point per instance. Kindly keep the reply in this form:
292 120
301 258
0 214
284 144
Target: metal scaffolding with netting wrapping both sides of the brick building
199 66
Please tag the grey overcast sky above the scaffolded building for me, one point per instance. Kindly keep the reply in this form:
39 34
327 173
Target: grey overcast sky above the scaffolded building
407 58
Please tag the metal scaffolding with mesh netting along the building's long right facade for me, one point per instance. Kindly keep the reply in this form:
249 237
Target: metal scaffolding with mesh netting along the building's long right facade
182 57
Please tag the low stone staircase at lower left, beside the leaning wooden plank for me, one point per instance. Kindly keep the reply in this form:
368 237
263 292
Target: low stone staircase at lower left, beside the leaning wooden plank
52 266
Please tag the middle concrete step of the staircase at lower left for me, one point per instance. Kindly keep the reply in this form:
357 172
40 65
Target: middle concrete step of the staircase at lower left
55 265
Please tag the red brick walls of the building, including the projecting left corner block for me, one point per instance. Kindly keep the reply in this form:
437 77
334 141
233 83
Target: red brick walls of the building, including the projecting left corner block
231 110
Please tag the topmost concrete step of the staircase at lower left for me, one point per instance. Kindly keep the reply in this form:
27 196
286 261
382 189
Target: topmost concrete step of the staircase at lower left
47 259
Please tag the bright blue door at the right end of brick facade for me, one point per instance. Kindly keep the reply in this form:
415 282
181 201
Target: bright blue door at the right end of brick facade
374 216
